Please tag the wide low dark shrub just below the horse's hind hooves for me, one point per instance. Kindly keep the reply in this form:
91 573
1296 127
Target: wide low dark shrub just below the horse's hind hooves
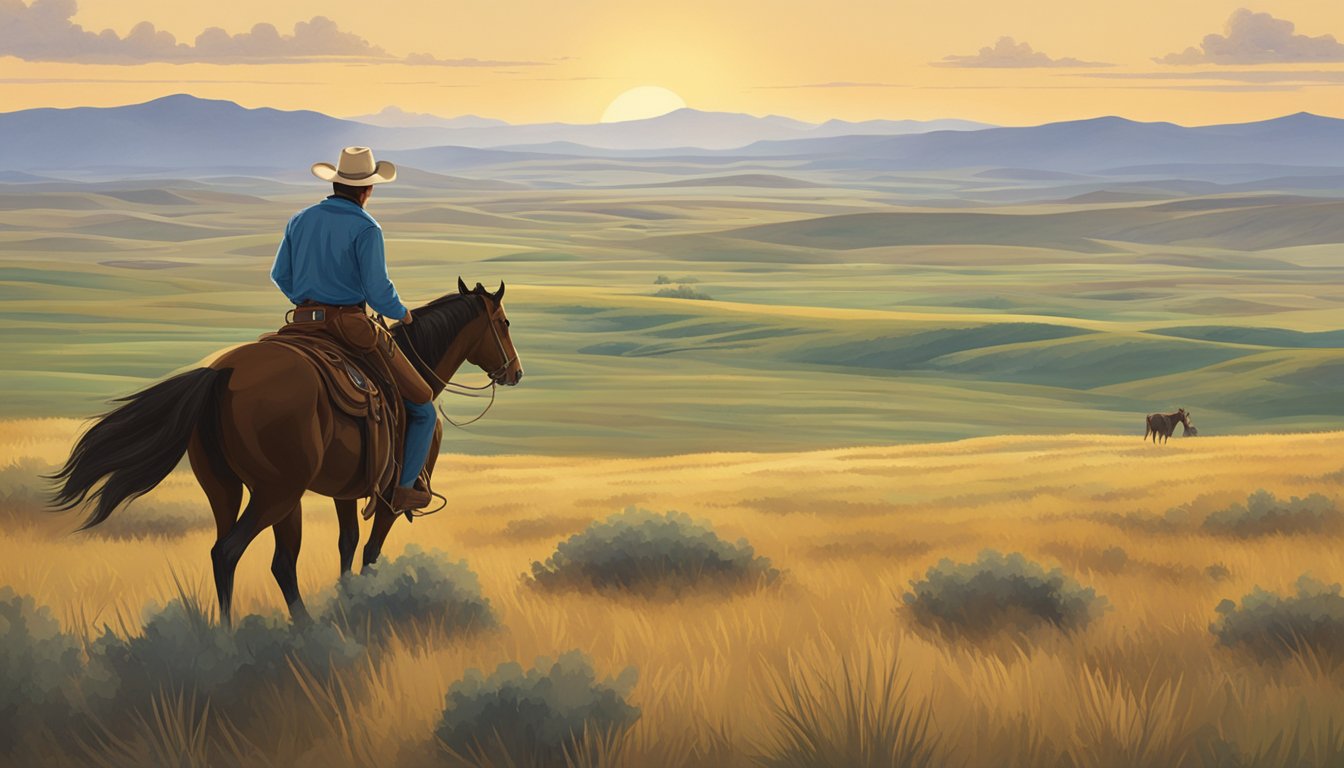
183 650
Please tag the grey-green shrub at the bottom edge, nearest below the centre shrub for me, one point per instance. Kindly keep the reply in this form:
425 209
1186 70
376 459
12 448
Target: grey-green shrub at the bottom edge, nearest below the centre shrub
536 719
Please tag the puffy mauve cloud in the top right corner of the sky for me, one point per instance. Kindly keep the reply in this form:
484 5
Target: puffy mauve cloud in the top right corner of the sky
1256 40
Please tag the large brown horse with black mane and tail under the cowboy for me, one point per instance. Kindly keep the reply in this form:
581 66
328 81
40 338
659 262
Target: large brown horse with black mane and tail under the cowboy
260 418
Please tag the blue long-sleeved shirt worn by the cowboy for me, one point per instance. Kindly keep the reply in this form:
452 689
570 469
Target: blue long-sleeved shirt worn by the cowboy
333 254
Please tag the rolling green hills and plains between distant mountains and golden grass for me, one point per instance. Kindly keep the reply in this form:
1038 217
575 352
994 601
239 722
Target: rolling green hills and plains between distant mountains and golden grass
830 310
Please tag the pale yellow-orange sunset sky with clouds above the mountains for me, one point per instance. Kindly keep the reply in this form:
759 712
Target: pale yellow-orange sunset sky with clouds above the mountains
1022 63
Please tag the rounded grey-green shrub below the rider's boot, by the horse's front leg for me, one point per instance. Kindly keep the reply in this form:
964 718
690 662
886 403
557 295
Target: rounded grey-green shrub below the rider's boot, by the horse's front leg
417 591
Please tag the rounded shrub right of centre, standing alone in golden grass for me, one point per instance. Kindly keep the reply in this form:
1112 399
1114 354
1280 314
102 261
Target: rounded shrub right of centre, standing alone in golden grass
997 591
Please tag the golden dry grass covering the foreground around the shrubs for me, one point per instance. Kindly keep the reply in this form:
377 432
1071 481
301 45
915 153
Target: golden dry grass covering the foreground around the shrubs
1144 687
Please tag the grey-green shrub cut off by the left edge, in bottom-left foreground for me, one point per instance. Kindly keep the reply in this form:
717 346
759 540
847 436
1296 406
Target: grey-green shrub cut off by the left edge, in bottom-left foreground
38 666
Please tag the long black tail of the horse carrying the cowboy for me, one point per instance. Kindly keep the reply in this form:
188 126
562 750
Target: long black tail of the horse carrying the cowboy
136 446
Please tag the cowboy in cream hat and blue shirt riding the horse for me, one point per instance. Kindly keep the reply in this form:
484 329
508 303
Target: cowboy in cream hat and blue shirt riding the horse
331 264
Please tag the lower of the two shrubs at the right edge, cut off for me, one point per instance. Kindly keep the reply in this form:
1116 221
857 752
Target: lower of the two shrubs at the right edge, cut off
1272 627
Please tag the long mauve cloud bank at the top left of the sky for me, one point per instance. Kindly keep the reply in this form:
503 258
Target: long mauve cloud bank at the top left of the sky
46 32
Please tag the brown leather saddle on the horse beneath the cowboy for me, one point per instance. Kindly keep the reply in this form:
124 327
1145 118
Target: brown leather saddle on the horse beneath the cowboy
360 385
